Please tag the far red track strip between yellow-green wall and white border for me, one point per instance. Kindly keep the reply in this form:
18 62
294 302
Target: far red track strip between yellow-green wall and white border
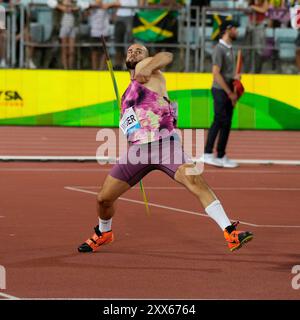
58 141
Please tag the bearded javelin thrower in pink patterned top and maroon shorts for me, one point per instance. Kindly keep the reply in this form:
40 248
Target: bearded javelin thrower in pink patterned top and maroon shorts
153 126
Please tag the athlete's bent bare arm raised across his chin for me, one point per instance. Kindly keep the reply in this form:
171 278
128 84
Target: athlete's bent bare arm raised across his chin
151 65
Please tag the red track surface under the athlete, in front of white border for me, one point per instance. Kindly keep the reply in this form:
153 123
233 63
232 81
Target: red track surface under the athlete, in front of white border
48 209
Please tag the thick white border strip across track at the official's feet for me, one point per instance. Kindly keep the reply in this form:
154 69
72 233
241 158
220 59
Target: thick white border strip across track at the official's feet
112 159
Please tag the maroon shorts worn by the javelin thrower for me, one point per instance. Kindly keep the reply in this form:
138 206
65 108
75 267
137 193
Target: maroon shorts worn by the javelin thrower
165 155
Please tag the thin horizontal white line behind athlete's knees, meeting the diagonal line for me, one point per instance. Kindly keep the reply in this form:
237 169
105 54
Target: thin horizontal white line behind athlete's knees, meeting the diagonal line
215 188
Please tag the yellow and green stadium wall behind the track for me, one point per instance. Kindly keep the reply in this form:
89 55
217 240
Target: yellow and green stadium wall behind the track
86 98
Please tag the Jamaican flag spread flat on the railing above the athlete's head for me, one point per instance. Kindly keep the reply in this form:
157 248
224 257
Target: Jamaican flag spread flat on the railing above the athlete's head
157 25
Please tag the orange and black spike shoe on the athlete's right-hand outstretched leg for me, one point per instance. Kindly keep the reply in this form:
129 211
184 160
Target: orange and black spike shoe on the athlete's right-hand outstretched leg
236 239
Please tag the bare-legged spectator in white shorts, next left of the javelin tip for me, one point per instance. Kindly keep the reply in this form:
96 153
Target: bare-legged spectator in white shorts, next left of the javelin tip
67 32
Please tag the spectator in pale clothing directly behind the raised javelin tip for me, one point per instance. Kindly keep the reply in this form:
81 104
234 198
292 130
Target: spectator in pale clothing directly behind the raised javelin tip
99 26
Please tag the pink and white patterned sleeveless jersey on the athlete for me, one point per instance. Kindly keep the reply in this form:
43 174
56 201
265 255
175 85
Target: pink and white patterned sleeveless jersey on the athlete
156 114
